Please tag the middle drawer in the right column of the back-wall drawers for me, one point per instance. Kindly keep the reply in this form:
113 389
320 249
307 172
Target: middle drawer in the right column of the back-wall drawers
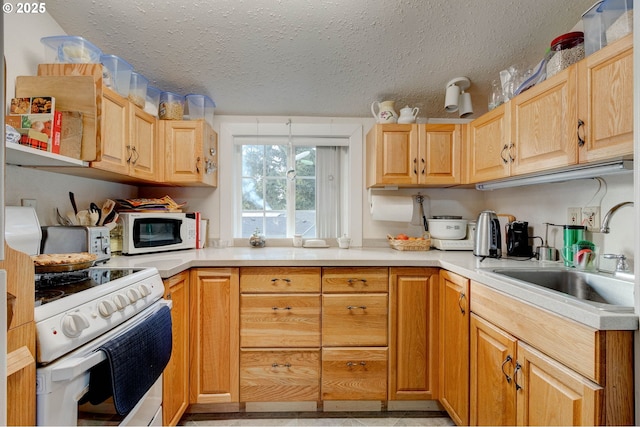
355 320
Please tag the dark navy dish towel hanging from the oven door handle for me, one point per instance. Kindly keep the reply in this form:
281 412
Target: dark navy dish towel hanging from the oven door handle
134 362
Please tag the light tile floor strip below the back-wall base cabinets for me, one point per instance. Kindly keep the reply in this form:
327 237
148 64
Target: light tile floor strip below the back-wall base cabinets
392 418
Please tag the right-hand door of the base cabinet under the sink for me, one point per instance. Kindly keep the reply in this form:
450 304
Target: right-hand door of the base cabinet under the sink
552 394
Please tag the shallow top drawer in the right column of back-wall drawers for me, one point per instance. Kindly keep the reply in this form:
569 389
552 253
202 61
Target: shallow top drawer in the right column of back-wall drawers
355 279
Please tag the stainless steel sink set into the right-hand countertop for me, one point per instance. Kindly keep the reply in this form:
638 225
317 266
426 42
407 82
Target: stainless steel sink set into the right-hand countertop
604 292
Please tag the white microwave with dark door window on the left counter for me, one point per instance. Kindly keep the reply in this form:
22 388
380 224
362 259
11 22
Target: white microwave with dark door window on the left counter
148 232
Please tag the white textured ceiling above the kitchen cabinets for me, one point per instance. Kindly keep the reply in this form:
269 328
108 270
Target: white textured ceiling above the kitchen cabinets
321 57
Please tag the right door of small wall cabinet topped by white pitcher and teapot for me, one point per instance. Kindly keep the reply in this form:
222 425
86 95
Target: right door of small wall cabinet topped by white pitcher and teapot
439 154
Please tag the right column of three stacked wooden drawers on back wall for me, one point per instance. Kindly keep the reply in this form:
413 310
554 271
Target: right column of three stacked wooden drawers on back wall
355 326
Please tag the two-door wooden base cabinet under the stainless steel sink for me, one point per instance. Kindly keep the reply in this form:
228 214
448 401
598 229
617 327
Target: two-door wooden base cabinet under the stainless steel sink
525 360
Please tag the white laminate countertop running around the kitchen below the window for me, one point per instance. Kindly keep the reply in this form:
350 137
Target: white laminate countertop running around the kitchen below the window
460 262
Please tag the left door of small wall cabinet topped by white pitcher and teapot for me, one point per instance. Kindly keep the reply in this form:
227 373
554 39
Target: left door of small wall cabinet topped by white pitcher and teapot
392 155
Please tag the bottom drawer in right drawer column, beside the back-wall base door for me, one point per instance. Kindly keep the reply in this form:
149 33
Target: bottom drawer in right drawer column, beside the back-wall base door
354 374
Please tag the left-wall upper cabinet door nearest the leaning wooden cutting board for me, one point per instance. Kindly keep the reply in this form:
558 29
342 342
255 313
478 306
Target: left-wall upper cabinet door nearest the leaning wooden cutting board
116 148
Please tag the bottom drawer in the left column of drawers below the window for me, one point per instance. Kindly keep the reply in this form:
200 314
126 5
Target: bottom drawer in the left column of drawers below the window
282 375
